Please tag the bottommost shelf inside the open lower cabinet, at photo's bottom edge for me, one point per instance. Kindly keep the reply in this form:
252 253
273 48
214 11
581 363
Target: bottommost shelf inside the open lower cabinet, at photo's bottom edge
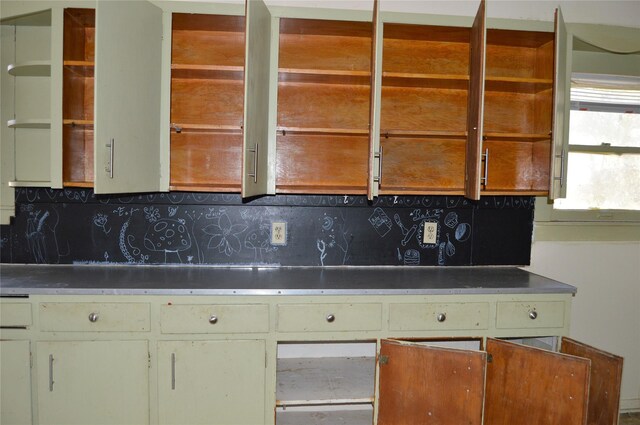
336 417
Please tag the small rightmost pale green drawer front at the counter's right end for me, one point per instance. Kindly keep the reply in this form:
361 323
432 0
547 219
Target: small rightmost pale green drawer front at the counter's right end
544 314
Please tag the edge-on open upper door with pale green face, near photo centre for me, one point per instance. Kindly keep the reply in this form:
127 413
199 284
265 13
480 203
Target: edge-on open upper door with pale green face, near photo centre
375 150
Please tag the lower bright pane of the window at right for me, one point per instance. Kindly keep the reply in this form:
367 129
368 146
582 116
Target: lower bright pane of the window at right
596 181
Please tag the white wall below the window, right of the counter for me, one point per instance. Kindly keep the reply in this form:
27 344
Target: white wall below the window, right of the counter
606 309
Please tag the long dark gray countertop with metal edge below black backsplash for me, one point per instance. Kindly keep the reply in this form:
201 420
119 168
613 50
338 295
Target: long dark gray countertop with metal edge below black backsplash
16 279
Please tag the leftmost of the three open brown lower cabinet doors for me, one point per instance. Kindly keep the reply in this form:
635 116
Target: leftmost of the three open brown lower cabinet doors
421 384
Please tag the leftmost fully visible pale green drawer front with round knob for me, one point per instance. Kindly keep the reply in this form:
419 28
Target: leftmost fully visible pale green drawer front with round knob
95 317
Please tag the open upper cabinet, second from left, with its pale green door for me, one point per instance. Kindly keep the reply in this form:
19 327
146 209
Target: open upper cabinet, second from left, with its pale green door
219 139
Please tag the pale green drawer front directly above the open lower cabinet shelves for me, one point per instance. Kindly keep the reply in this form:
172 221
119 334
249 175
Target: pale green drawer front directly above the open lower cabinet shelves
329 317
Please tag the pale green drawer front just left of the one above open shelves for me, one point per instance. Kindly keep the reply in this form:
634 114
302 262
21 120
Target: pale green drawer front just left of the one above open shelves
214 318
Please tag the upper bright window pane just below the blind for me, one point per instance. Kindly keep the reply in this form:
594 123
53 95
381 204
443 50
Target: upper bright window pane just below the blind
596 128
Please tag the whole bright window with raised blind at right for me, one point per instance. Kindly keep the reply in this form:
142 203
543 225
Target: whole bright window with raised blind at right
603 170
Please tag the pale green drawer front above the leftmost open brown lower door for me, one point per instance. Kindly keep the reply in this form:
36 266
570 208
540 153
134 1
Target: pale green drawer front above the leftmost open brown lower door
438 316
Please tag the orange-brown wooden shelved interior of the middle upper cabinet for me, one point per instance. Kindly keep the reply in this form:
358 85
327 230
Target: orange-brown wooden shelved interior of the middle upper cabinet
323 106
